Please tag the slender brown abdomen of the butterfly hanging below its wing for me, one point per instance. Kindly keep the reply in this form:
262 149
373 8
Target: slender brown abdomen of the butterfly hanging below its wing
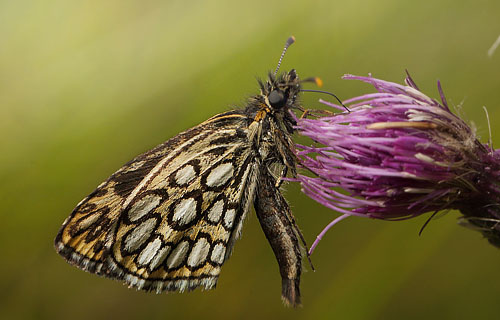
273 211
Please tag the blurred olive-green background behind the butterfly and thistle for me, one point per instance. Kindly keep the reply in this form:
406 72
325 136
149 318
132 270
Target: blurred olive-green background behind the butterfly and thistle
87 85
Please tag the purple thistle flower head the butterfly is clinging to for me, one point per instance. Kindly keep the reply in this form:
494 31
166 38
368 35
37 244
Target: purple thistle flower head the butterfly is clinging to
397 154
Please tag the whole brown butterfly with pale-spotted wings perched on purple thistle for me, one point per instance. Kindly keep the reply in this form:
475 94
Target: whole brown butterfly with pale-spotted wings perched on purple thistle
168 219
